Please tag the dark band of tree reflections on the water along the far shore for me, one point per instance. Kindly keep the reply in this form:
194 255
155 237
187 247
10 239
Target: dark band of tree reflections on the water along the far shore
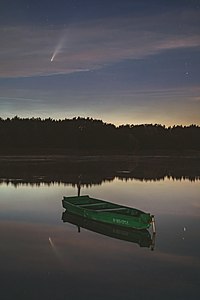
95 171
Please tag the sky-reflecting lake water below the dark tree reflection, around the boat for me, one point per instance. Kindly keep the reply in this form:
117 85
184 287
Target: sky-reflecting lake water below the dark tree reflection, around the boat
42 257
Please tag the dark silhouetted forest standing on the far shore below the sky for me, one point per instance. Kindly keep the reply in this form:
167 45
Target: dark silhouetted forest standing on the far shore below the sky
87 135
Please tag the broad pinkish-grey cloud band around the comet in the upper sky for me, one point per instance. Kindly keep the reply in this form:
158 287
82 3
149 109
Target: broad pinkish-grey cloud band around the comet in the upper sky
26 51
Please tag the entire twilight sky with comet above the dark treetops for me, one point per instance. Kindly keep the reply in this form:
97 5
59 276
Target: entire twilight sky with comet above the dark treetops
122 61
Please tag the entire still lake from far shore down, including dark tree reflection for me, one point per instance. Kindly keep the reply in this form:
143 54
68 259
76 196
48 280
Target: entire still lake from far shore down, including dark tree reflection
43 256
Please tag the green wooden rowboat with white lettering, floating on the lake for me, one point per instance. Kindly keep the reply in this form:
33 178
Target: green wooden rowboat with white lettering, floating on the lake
106 212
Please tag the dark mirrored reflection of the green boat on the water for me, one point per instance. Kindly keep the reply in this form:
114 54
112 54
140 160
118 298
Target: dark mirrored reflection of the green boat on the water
141 237
